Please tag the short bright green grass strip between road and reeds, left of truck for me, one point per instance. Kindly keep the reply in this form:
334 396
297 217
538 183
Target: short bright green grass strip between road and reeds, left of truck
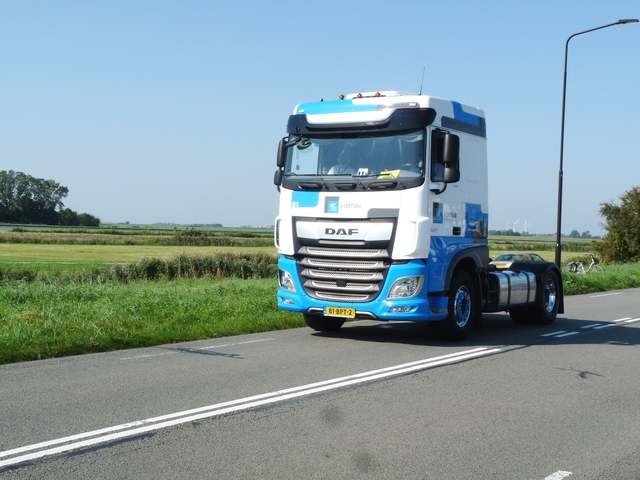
40 320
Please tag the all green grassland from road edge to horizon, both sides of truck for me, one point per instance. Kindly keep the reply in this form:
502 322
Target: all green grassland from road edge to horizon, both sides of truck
65 293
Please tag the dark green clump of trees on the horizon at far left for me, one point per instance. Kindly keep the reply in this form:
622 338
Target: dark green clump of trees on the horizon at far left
29 200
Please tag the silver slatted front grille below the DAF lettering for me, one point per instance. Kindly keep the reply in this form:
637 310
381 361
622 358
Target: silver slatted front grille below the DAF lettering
343 274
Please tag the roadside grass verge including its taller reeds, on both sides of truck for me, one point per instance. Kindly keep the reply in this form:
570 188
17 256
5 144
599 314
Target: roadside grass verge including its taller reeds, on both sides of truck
52 313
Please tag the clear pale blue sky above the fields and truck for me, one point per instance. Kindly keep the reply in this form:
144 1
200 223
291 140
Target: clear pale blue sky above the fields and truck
157 111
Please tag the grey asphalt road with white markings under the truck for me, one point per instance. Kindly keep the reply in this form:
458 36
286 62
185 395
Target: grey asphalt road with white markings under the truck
373 400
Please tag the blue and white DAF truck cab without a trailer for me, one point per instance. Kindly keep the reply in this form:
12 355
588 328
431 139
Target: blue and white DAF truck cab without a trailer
384 215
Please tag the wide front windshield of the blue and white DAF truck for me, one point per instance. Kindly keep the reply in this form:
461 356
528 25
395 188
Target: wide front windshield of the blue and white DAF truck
373 156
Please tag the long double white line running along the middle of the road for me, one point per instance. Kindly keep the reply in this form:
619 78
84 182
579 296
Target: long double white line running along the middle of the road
129 429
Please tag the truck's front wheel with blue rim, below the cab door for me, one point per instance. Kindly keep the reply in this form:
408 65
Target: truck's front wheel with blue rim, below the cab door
461 308
